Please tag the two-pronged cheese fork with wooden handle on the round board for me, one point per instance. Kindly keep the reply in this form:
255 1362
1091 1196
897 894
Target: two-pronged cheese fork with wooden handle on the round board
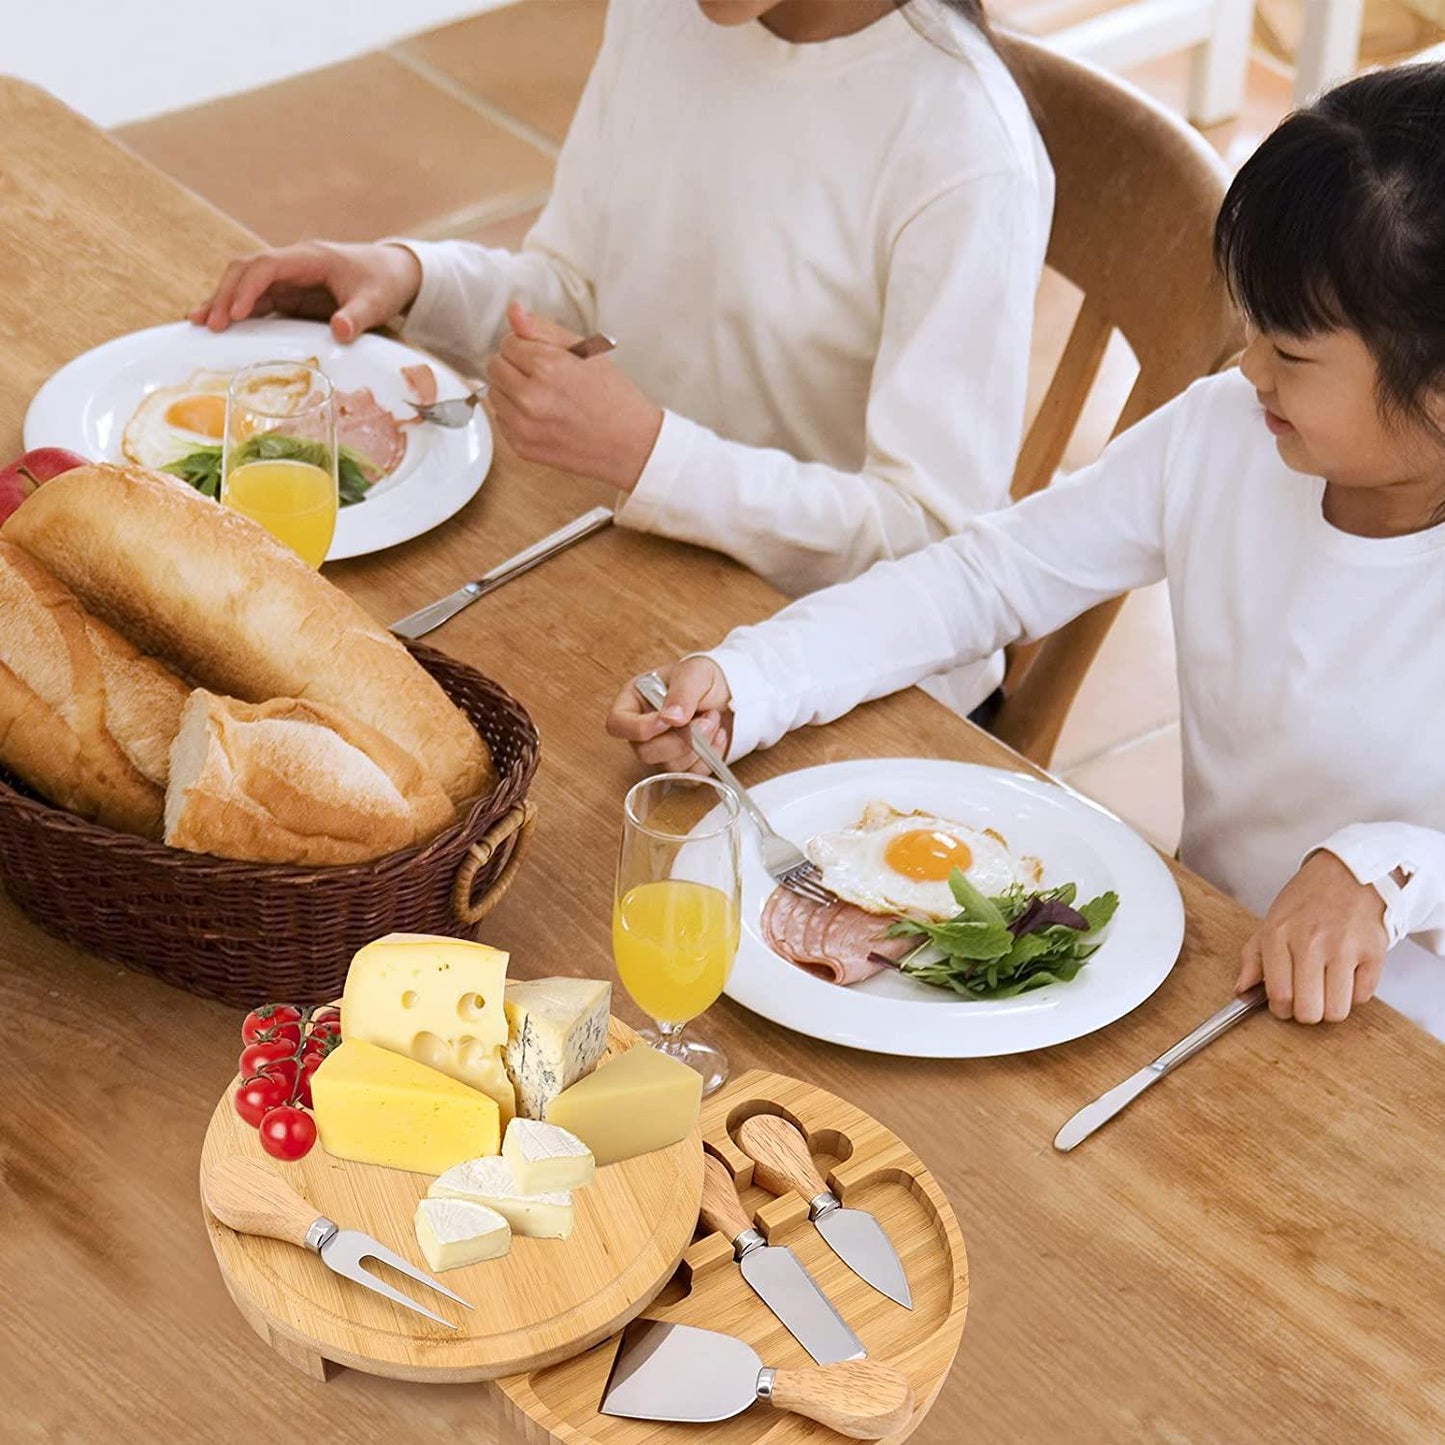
252 1199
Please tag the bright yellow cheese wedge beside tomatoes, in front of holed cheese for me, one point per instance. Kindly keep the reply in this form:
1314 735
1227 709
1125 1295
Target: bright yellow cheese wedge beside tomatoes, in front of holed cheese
382 1109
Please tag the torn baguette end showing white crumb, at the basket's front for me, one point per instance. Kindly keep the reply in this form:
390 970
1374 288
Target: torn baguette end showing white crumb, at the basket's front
294 782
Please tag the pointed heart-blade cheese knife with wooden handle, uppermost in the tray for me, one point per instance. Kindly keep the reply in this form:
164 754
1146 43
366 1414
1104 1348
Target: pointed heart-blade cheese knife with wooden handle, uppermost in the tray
782 1163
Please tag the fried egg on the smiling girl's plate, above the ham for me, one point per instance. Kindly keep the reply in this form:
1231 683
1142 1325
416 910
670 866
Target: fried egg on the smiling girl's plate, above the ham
900 863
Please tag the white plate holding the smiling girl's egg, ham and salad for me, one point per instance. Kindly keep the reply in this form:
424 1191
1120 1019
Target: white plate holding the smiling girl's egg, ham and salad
894 1015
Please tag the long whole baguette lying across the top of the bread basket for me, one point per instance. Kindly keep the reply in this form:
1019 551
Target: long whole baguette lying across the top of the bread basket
220 599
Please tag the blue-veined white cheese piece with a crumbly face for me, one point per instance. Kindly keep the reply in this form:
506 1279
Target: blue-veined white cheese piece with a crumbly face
557 1035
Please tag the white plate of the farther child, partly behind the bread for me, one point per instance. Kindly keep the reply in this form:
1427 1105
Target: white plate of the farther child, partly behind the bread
87 404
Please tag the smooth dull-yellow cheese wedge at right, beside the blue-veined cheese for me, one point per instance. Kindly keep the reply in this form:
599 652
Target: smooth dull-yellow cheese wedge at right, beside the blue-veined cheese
632 1105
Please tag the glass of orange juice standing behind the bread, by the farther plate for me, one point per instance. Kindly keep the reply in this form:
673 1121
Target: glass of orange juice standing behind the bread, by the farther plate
280 459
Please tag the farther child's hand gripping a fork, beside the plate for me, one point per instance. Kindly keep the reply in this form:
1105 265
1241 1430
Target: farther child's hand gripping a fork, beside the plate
554 408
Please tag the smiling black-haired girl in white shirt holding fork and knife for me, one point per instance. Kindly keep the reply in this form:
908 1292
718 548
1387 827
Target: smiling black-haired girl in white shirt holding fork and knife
1297 508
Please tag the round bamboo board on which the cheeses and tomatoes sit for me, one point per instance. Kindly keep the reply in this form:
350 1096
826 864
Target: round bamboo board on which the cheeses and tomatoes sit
544 1301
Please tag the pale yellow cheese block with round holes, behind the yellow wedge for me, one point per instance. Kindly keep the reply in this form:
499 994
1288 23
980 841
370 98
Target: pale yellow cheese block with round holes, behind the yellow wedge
437 1001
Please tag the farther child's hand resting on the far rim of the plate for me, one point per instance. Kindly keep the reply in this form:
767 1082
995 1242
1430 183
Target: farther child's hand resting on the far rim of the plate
356 287
